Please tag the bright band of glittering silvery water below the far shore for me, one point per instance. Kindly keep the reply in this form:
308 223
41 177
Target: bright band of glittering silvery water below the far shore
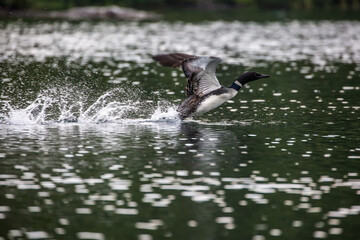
237 42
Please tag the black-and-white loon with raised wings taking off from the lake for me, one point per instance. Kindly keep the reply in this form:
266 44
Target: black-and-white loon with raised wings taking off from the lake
203 90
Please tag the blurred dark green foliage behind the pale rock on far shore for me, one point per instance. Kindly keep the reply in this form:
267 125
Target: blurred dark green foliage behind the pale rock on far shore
268 4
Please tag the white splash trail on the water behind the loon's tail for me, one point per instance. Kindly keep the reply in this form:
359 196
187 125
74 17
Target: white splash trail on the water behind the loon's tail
50 106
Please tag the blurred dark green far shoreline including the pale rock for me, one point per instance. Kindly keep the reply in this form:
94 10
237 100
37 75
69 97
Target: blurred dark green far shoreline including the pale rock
187 10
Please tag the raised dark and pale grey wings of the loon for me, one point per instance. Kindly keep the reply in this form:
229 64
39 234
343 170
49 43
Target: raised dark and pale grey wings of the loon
200 71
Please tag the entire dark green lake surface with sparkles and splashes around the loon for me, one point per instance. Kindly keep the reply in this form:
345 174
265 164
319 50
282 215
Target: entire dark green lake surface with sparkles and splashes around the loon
91 146
